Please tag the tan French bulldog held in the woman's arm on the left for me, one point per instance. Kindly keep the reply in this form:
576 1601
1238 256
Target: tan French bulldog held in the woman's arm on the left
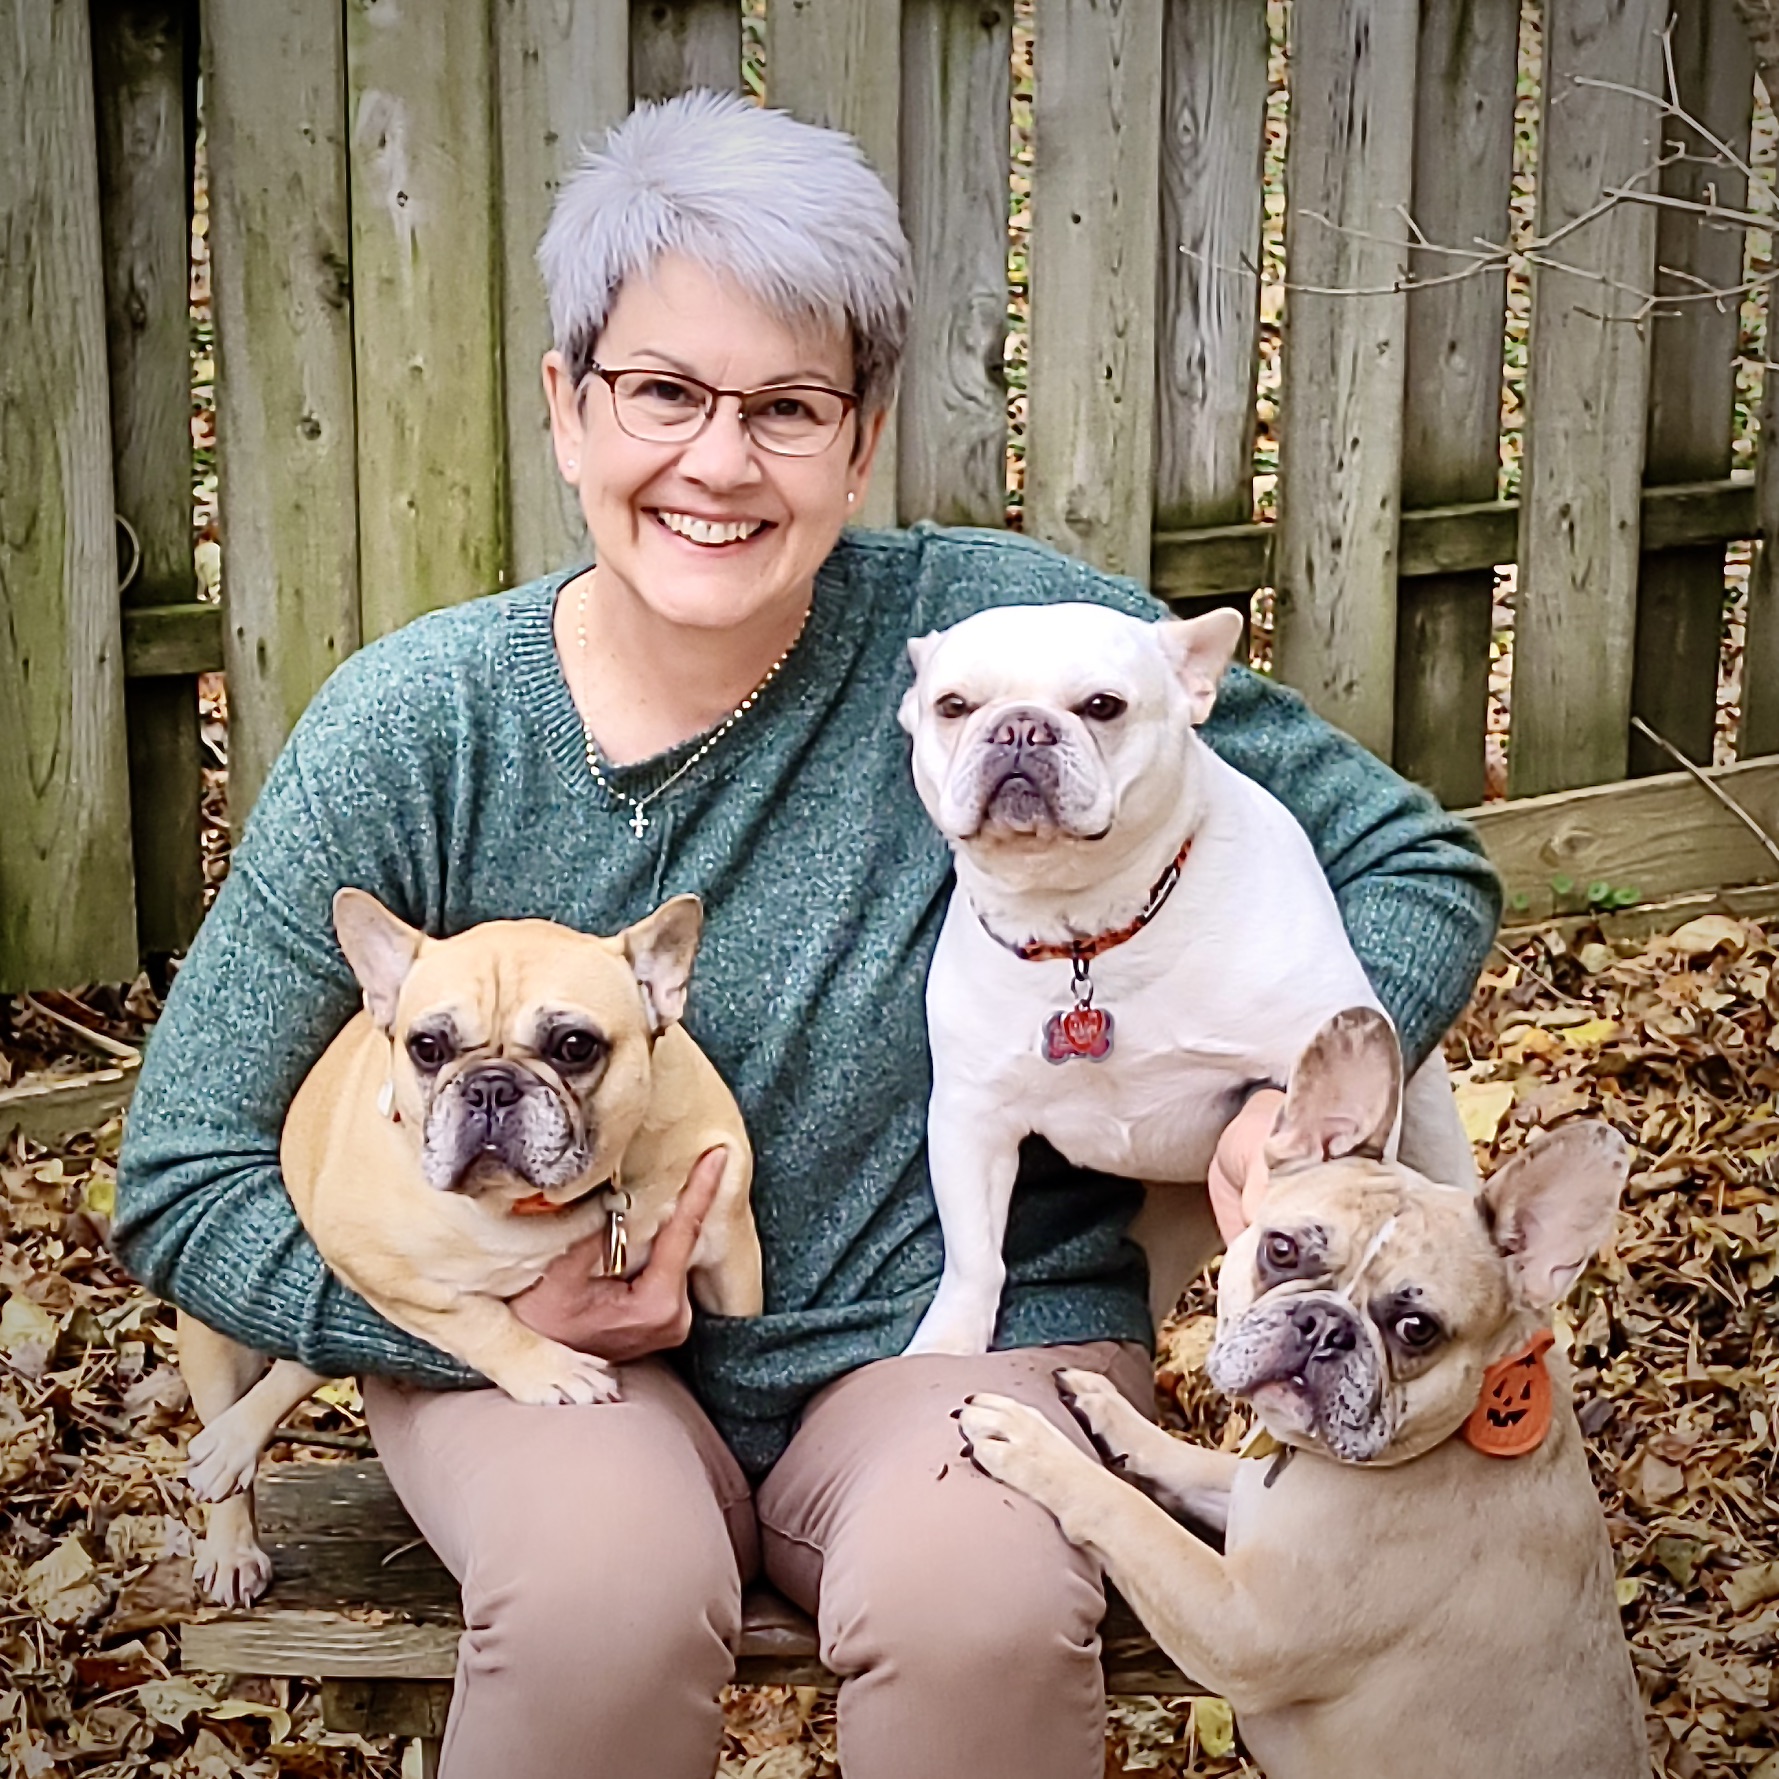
504 1095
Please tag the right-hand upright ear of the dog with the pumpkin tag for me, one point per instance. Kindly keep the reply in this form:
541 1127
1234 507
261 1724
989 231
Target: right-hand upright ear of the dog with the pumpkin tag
1550 1209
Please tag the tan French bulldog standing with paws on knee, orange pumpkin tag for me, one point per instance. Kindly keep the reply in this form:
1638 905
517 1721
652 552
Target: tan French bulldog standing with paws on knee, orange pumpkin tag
1419 1579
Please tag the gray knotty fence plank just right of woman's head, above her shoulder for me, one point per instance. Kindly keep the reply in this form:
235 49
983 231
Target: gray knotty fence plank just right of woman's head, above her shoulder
956 77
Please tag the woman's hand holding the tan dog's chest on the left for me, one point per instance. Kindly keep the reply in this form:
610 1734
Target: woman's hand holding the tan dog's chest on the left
625 1319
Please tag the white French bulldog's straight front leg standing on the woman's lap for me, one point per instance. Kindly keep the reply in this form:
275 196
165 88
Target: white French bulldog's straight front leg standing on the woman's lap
974 1159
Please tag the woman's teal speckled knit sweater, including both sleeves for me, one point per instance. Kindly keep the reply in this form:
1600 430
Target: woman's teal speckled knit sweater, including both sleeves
442 769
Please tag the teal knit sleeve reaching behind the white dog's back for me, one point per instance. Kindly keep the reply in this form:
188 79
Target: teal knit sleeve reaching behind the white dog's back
1417 894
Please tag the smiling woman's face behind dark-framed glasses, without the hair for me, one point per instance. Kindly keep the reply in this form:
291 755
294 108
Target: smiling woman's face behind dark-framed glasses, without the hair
641 499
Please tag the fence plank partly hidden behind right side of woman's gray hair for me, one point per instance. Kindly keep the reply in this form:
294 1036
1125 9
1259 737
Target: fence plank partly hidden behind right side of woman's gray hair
839 63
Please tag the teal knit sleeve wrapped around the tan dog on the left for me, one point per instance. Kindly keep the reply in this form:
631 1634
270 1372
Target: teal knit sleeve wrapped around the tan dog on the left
204 1216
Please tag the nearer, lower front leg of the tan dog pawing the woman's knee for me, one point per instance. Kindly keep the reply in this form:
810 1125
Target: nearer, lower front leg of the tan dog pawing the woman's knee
1177 1584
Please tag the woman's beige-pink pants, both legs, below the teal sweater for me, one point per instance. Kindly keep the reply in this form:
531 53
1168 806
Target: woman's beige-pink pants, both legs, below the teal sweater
602 1554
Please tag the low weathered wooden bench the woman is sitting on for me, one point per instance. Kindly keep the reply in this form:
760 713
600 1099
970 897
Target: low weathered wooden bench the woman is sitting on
362 1604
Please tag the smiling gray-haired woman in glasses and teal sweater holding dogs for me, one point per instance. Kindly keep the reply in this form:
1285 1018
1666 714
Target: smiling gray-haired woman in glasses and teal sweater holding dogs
712 709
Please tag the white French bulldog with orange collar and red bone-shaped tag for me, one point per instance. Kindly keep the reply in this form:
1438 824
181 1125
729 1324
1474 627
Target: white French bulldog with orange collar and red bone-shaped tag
1139 935
